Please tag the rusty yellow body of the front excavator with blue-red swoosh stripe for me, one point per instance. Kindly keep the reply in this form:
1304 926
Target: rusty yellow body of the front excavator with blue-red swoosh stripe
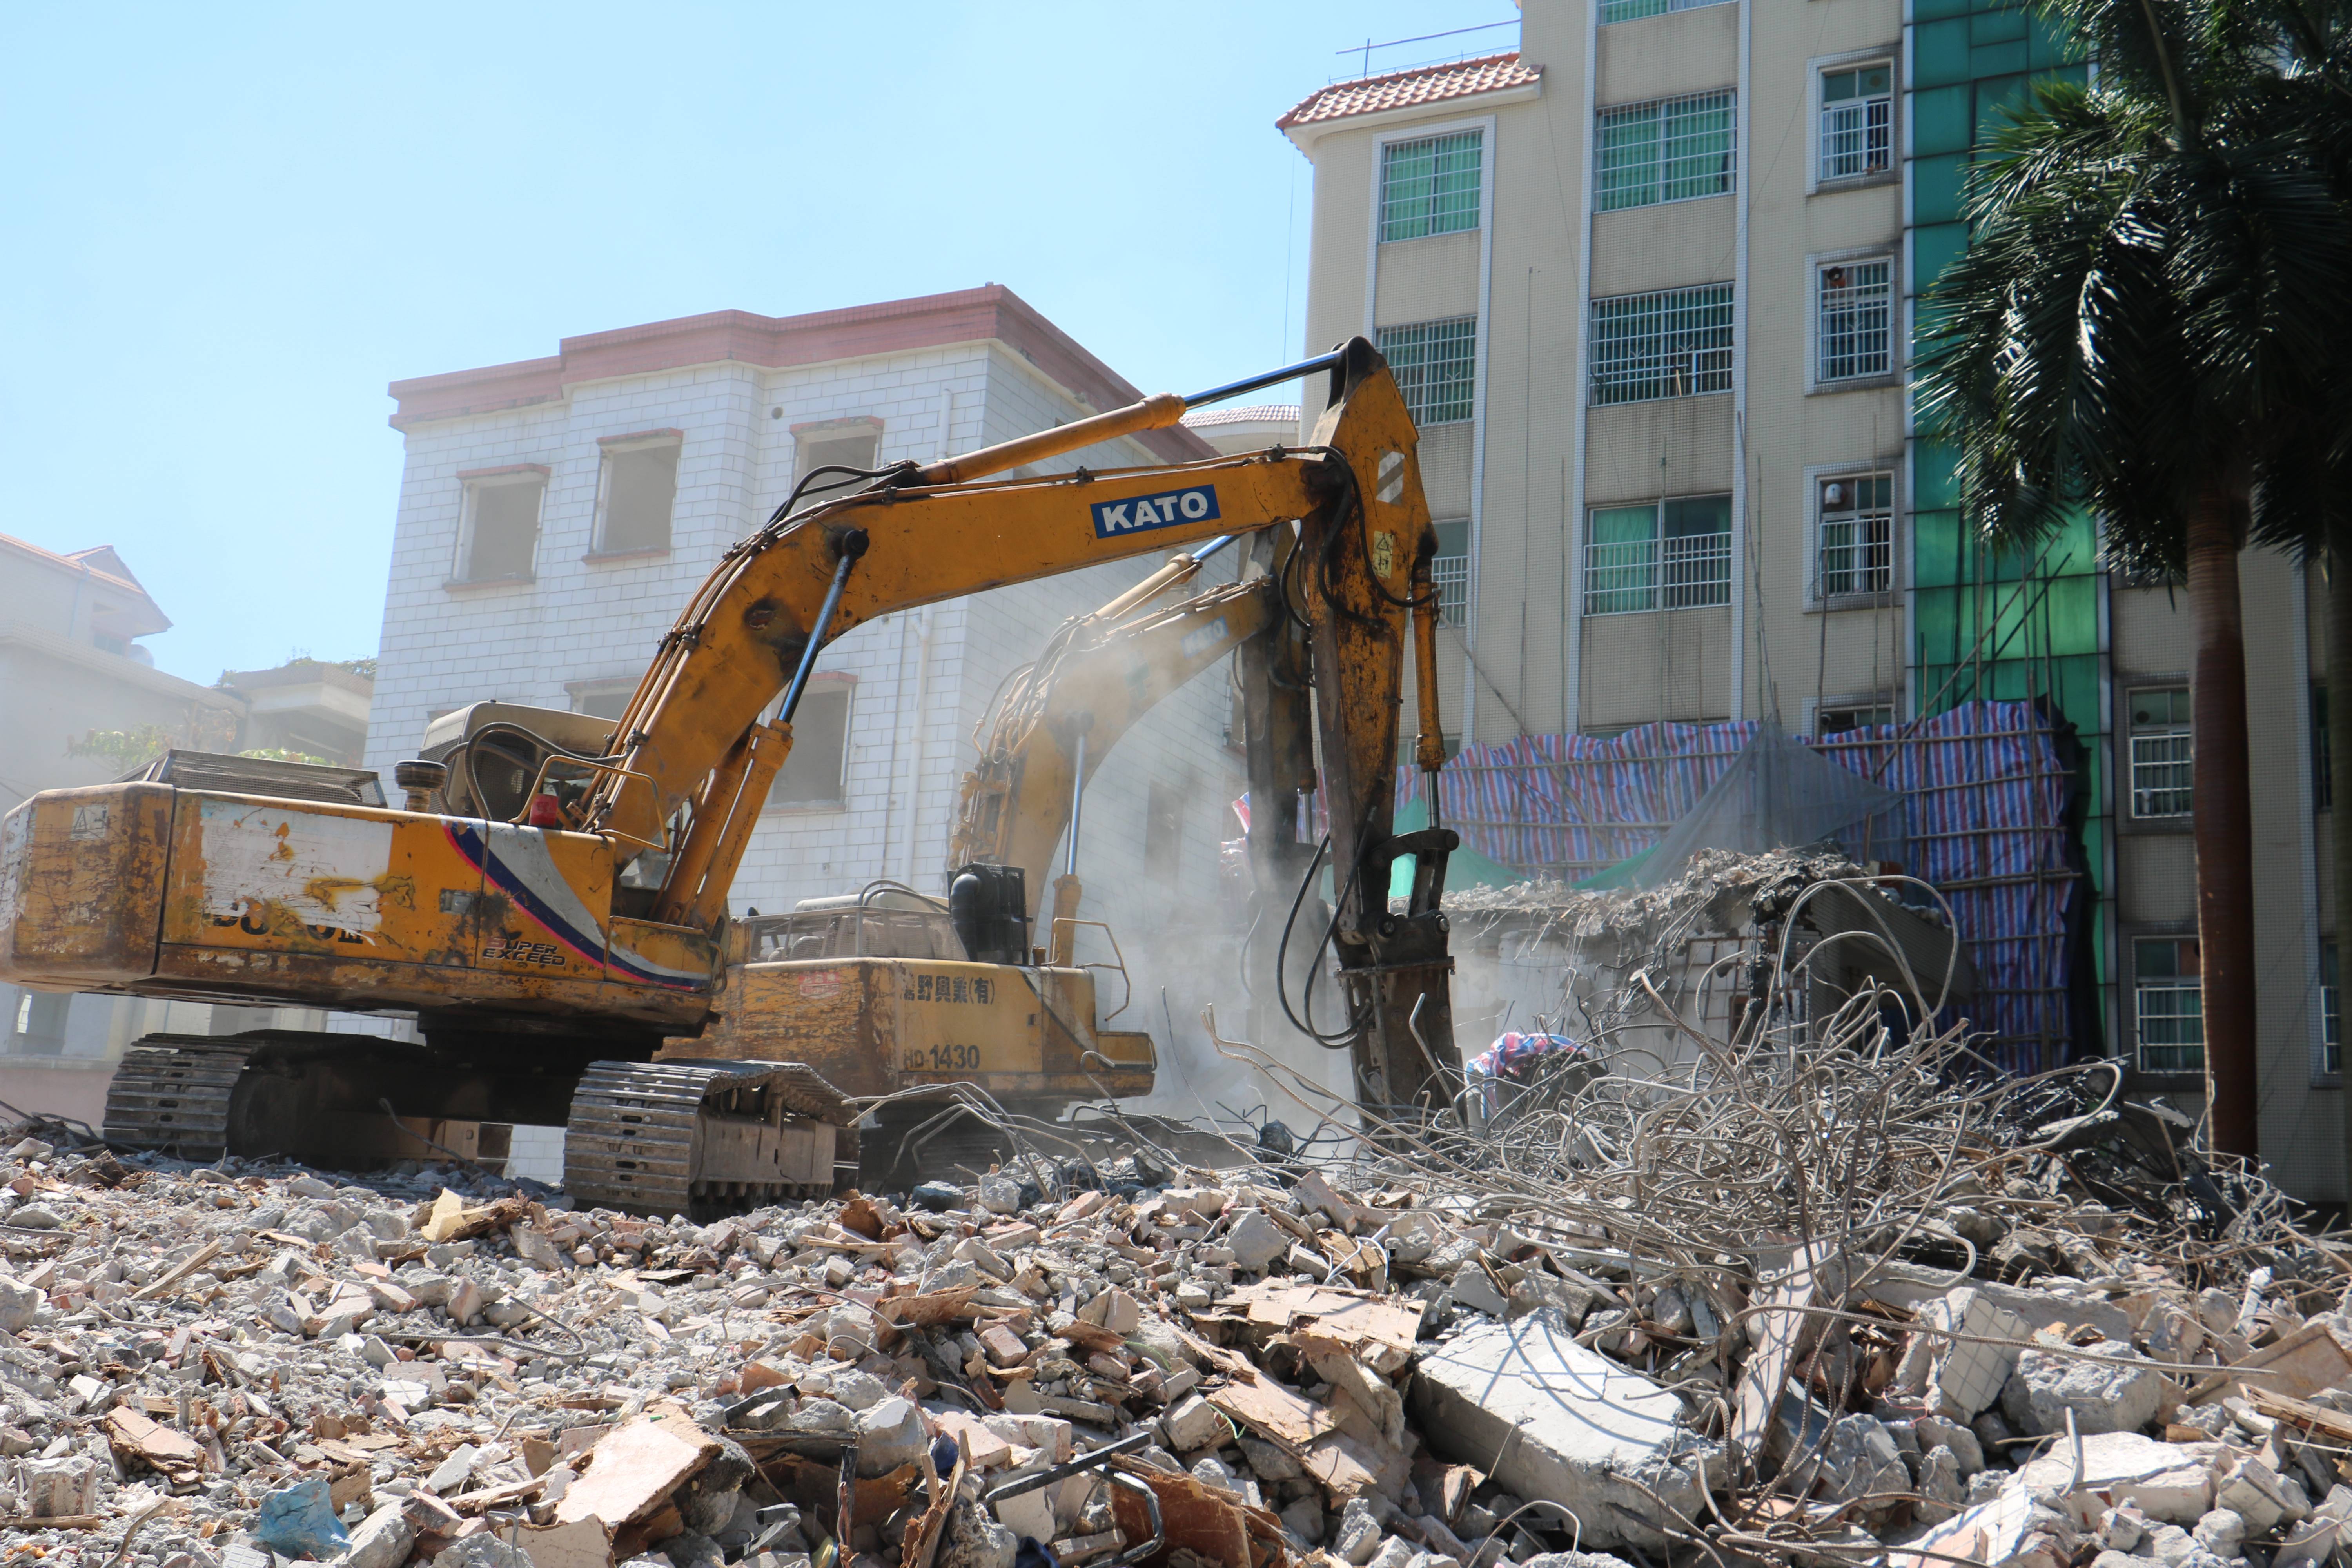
168 892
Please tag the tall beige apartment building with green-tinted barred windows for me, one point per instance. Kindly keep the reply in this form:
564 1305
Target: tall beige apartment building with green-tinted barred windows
1650 283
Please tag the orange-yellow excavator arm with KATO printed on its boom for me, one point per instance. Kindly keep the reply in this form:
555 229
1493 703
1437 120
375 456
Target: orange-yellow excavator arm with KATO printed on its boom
697 746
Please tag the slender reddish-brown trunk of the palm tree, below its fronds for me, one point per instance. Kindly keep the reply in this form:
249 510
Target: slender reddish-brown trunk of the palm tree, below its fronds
2224 817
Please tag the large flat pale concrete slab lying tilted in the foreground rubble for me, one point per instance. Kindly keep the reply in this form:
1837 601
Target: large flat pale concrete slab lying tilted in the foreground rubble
1565 1423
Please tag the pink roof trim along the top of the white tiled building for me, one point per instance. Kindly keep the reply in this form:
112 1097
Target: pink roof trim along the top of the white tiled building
900 326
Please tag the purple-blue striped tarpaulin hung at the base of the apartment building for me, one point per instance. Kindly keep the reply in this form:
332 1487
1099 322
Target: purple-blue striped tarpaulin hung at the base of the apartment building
1984 824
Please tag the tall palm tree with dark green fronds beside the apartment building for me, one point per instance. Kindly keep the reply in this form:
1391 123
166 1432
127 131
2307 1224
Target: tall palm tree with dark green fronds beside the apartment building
2146 326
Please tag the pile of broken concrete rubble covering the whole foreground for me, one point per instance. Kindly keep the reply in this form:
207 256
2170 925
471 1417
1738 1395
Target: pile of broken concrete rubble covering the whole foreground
1967 1329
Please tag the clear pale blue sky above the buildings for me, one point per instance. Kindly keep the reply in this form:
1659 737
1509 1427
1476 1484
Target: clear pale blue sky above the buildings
232 227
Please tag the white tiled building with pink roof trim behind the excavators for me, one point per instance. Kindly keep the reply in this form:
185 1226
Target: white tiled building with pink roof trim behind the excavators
559 514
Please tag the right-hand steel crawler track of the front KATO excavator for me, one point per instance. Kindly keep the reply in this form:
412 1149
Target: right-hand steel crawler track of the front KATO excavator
655 1137
